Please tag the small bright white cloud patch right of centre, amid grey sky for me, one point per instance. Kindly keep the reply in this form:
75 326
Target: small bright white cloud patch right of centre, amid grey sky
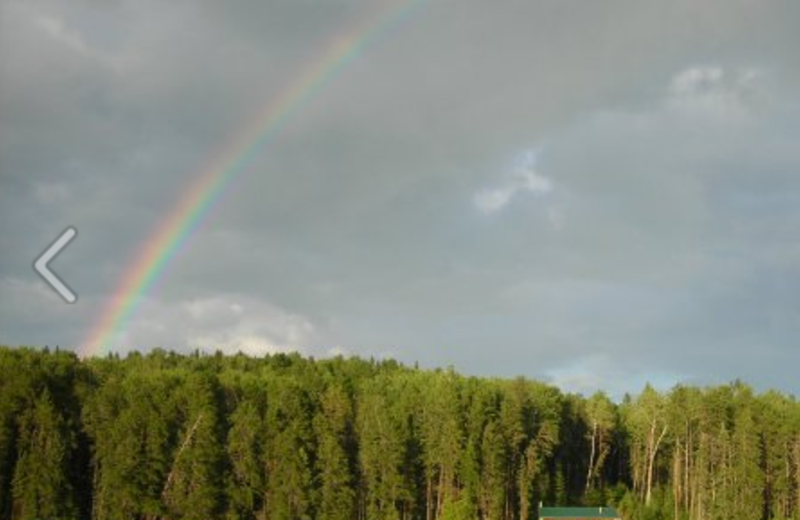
523 177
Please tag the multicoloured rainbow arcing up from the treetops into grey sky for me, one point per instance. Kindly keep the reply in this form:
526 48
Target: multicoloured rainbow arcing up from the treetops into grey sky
196 203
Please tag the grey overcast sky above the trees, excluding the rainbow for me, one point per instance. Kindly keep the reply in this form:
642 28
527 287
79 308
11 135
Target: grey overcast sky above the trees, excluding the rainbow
594 194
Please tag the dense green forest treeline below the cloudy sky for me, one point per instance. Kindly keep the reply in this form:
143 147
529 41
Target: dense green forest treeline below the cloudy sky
166 436
